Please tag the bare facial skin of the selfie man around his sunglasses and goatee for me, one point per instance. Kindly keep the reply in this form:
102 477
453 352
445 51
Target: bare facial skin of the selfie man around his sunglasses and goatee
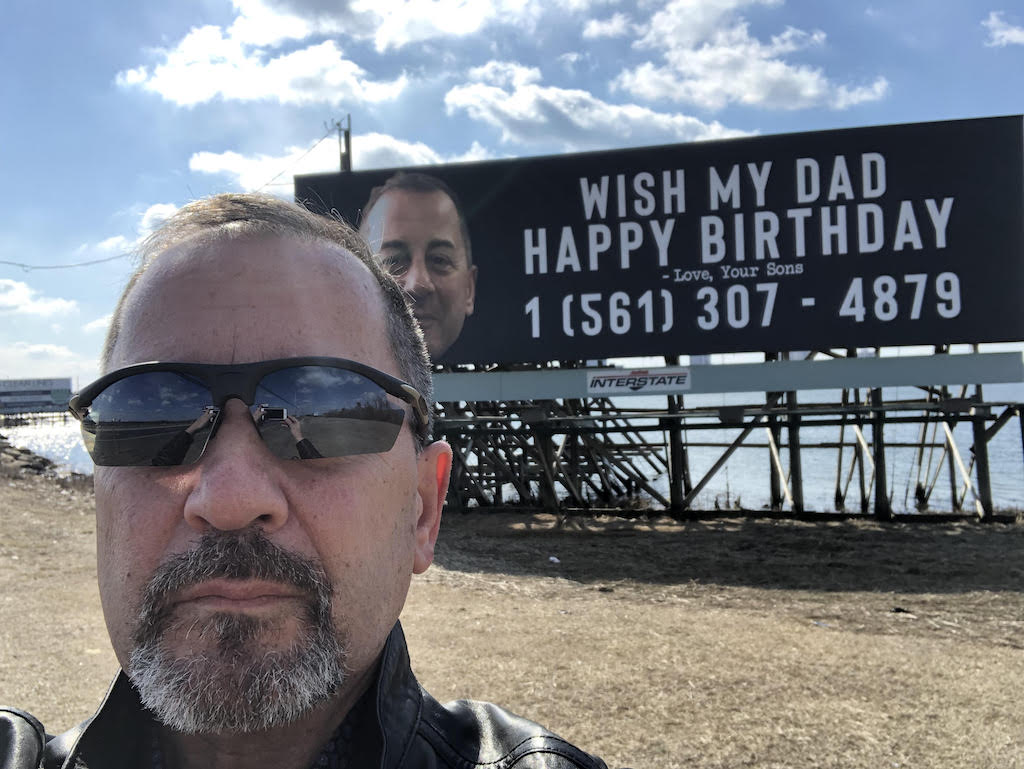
365 524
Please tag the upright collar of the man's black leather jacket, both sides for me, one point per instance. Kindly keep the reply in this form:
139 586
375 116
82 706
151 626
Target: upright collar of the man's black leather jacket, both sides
118 736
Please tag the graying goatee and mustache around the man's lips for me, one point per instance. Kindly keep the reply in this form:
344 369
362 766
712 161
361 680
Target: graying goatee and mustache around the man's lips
236 685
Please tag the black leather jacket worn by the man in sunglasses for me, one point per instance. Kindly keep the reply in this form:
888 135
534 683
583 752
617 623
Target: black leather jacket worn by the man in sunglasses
418 732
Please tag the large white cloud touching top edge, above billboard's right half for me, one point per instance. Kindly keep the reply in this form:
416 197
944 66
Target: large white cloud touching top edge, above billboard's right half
711 60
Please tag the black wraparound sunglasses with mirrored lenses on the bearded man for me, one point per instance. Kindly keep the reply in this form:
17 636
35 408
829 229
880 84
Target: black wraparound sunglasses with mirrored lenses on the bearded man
304 408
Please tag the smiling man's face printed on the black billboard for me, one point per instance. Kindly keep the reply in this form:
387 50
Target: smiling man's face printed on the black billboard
420 242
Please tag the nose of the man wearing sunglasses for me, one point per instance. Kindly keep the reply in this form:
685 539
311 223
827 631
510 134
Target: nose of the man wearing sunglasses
238 484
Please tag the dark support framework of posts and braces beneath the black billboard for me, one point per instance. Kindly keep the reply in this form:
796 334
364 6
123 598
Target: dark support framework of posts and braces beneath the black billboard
598 454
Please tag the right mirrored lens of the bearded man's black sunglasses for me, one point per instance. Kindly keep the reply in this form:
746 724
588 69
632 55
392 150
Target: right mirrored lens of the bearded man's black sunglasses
309 412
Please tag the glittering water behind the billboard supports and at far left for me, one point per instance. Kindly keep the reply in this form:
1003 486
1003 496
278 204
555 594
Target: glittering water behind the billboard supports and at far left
745 480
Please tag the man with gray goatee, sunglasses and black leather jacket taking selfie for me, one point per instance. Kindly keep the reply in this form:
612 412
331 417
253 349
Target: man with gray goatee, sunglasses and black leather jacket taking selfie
252 589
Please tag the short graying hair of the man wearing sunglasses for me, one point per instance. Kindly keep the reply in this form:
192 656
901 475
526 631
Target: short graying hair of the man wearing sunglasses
235 217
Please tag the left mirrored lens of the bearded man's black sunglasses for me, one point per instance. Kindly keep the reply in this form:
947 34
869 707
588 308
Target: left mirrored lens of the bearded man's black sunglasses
157 418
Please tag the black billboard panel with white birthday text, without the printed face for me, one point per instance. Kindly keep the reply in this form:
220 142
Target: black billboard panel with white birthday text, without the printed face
860 238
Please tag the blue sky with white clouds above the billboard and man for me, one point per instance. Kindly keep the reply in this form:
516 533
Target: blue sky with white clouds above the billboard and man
114 118
